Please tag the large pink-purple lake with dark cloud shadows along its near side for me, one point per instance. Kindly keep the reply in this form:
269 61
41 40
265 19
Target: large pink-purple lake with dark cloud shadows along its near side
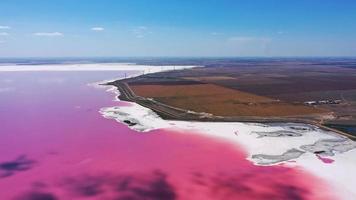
54 144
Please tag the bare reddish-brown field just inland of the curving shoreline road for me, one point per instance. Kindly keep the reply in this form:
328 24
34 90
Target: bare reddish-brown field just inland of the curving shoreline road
219 100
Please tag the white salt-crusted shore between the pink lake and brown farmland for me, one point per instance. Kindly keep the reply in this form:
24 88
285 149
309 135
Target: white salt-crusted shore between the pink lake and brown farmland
326 154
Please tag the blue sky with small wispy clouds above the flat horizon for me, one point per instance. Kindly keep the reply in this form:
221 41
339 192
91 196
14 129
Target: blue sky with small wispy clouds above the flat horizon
71 28
